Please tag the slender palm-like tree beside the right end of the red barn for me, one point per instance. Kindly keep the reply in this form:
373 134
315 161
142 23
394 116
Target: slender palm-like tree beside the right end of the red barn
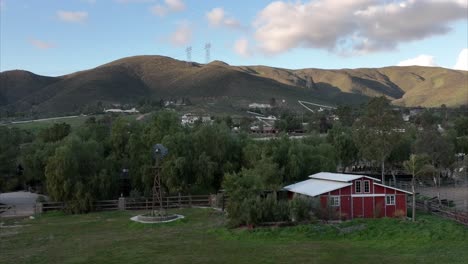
417 165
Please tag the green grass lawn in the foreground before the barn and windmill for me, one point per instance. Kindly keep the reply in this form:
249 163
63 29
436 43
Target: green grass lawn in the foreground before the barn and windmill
110 237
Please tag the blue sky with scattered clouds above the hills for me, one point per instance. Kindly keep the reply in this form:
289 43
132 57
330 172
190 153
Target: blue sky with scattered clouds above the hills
55 37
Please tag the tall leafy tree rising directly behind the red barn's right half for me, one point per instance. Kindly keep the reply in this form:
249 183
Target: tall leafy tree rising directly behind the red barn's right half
378 131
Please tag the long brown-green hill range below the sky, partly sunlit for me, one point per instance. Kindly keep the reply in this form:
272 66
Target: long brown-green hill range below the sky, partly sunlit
141 77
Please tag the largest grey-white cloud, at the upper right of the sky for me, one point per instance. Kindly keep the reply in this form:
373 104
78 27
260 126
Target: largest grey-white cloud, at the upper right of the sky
353 27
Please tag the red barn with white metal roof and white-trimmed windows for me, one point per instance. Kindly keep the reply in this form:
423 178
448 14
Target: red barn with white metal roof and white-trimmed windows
352 196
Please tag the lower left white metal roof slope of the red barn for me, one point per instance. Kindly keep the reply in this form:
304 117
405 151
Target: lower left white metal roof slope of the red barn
314 187
